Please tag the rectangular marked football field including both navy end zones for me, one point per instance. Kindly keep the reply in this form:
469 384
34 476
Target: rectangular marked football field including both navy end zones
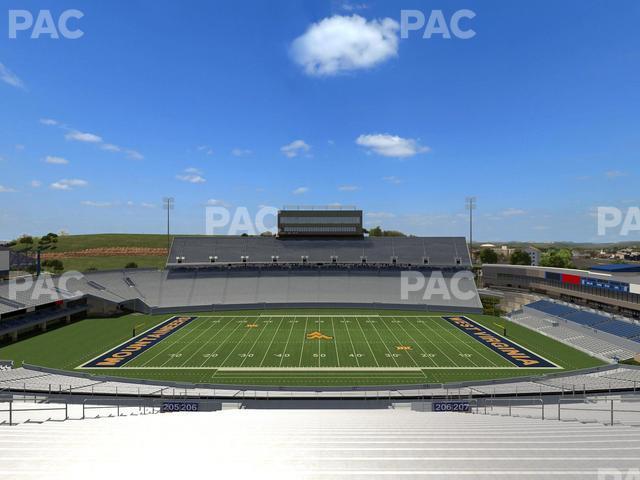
264 342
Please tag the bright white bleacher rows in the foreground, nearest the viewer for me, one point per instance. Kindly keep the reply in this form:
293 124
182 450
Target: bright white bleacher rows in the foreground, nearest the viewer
302 444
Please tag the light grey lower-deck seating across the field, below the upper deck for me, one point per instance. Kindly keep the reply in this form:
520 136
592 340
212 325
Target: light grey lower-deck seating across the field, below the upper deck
167 289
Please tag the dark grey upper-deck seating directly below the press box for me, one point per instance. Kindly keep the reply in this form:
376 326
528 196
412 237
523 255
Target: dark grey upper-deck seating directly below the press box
228 250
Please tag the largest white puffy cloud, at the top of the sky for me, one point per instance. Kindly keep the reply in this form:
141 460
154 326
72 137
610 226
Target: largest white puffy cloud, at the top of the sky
341 43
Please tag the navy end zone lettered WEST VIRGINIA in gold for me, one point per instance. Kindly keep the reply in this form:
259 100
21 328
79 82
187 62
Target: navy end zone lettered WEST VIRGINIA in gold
502 346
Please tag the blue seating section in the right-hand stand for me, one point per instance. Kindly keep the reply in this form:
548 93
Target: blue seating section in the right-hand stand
591 319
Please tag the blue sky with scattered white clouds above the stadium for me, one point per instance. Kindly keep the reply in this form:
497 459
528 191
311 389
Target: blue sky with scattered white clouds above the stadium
266 103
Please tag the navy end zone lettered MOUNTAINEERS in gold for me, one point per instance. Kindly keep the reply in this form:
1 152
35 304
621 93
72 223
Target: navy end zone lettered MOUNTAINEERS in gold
134 347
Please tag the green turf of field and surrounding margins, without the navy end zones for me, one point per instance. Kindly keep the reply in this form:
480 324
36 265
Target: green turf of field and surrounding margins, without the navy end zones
278 348
